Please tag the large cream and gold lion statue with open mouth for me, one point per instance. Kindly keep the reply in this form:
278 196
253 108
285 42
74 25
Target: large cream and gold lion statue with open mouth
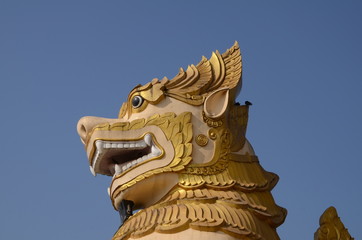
178 152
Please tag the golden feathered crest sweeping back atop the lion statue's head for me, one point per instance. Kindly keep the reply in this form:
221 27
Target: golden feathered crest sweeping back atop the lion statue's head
197 82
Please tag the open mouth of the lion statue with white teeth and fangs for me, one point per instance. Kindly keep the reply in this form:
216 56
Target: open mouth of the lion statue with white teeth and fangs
113 158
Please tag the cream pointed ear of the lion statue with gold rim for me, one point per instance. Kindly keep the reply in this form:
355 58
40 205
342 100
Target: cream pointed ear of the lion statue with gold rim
216 103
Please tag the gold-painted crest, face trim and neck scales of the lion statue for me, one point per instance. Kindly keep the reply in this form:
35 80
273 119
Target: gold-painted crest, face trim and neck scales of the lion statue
230 192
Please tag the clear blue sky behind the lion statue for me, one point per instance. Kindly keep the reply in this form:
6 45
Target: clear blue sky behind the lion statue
61 60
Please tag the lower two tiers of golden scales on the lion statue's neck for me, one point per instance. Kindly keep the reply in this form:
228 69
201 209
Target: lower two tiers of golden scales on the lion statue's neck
232 212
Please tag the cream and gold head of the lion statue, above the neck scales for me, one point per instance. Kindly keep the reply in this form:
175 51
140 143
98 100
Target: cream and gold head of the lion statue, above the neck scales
167 127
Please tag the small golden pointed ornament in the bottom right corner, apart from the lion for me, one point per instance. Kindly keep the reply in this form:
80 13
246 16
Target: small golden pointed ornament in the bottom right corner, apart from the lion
331 227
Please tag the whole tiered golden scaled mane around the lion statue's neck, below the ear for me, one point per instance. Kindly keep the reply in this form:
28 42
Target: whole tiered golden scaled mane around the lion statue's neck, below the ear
231 195
